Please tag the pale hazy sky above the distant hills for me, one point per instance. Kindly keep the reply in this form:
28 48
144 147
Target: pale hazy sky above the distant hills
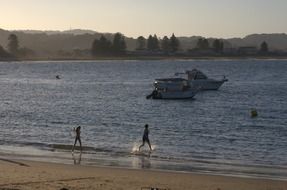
208 18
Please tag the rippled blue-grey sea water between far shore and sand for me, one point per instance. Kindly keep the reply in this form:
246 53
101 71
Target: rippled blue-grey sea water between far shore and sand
211 133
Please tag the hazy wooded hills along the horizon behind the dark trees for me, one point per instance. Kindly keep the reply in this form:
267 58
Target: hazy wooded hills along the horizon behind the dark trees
50 43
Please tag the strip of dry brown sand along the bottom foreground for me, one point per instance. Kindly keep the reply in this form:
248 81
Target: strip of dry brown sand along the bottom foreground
24 175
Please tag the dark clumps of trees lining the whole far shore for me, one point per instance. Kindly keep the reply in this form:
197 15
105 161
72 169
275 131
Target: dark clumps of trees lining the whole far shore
117 46
